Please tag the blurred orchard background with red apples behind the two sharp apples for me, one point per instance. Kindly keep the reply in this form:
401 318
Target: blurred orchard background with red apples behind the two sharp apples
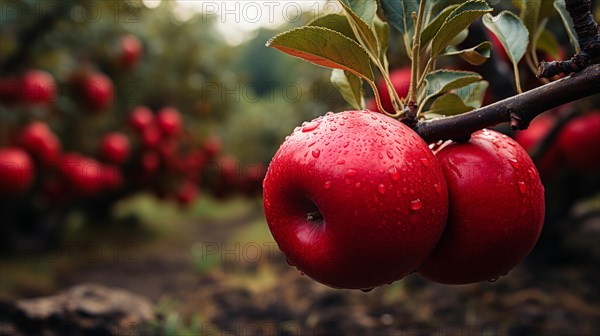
147 127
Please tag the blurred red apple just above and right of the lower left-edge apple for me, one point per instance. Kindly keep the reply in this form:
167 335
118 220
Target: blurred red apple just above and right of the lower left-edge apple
41 143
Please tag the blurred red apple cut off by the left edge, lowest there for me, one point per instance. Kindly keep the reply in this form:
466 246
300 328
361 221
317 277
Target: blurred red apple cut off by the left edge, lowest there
16 171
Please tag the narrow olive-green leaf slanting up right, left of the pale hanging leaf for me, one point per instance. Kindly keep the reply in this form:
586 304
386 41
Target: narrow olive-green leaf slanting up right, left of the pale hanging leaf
458 20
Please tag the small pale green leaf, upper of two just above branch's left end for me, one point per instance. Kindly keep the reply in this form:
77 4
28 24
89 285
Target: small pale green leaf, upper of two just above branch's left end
442 81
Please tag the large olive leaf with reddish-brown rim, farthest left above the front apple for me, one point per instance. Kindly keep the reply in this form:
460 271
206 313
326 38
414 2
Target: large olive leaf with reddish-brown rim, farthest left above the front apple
325 47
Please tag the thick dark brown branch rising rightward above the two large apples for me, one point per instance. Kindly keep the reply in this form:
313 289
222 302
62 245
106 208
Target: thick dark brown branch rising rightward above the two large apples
518 110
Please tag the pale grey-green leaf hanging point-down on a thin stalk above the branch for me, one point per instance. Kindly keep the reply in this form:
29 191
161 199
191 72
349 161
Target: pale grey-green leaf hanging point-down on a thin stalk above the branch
511 32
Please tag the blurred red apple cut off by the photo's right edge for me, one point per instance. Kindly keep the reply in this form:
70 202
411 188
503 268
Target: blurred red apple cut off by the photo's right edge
580 142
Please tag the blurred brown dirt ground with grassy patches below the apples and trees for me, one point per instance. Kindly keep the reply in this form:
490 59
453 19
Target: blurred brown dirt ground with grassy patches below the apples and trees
224 276
